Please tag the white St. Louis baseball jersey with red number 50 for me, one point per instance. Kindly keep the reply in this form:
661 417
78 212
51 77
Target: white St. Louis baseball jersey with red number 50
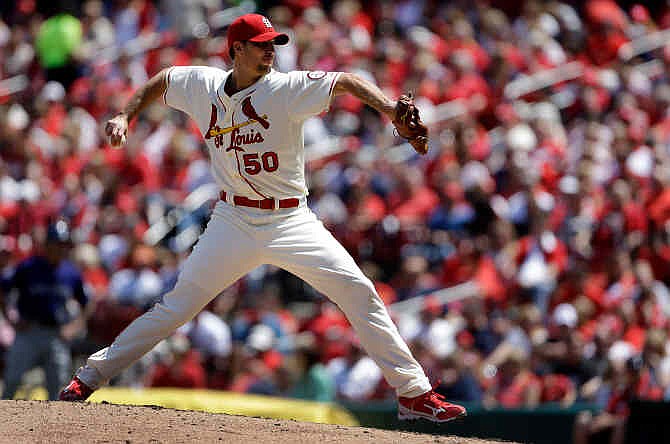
255 136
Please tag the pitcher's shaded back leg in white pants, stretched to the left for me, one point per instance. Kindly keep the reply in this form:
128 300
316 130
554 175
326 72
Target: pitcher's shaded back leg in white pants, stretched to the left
224 253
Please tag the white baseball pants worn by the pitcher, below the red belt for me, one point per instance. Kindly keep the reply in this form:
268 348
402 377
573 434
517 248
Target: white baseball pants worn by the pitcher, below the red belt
236 241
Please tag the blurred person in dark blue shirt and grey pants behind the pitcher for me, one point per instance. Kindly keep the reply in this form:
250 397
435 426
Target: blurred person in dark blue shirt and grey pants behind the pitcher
48 293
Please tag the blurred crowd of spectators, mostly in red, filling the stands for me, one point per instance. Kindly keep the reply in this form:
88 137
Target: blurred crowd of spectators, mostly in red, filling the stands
555 203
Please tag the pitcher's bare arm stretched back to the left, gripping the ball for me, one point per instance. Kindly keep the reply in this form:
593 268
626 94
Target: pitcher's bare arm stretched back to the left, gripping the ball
117 127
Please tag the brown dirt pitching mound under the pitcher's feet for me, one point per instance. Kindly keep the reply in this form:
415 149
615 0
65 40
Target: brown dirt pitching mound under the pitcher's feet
63 422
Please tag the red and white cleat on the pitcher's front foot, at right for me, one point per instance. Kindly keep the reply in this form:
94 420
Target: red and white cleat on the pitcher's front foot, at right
431 406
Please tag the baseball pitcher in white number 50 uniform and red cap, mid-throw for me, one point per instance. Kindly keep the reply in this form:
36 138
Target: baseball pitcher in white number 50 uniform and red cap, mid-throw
251 118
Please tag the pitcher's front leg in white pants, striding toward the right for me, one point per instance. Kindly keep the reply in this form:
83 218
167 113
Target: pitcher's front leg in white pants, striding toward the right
309 251
